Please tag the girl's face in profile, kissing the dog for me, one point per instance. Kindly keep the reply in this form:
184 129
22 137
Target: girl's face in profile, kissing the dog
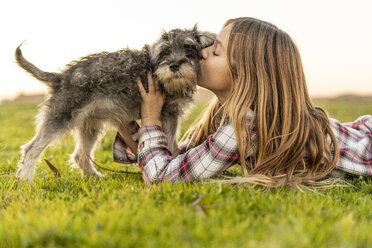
215 75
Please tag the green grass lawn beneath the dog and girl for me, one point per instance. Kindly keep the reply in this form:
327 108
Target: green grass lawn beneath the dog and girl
121 211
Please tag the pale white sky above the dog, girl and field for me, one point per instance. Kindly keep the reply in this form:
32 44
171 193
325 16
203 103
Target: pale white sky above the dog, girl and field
334 37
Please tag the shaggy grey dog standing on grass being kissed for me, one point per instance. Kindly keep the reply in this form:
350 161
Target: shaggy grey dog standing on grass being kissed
101 88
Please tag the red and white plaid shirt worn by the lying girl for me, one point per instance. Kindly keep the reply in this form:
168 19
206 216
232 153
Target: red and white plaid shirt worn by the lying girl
220 151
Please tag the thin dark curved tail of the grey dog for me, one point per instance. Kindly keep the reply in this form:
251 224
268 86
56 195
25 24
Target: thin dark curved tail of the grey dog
48 77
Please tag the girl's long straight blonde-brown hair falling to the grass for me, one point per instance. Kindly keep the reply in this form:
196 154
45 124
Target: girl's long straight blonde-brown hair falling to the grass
268 78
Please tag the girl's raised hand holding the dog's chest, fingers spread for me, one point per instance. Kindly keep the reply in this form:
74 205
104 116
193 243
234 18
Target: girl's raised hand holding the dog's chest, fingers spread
152 102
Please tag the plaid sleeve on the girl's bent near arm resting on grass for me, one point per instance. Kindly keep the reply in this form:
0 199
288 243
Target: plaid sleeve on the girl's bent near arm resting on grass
216 154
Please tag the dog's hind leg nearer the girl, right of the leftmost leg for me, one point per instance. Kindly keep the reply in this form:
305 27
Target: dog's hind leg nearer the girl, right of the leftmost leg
87 136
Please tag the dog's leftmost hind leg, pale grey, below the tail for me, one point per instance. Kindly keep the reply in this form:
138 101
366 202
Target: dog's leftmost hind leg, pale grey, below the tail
32 150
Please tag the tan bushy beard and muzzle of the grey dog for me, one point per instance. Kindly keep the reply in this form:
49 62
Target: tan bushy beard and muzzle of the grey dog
180 82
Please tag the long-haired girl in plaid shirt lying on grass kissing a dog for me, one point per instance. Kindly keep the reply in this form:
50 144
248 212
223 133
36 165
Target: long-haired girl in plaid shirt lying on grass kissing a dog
263 119
